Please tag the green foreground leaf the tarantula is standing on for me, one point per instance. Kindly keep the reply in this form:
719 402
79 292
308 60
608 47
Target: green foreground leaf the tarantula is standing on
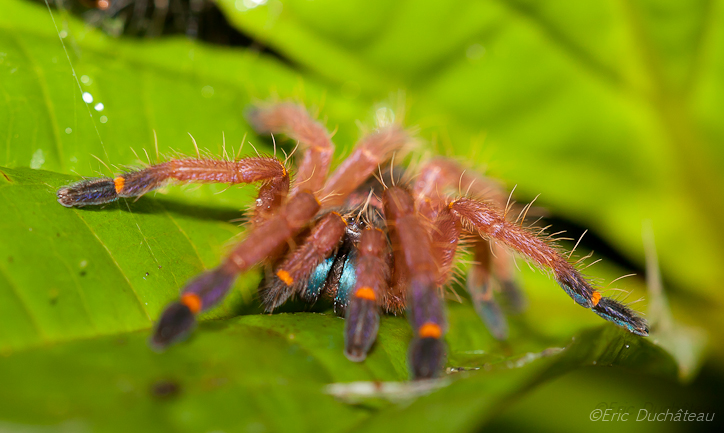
61 338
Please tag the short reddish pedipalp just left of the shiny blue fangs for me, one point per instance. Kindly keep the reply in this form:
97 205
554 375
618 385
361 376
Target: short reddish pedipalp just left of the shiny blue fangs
292 275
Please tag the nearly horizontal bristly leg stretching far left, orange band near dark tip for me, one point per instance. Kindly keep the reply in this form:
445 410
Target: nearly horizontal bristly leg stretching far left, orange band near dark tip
95 191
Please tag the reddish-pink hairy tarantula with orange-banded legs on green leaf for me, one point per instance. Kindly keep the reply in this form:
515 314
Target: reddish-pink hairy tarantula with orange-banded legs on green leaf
367 244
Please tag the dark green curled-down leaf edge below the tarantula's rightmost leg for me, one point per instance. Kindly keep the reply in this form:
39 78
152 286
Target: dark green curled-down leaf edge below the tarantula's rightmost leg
475 400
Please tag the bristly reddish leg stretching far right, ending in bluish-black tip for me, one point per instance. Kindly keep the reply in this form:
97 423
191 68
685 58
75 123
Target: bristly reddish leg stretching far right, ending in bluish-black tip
490 222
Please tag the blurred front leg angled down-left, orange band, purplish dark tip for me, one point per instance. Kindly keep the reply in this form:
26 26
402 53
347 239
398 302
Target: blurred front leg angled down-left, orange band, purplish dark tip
209 288
